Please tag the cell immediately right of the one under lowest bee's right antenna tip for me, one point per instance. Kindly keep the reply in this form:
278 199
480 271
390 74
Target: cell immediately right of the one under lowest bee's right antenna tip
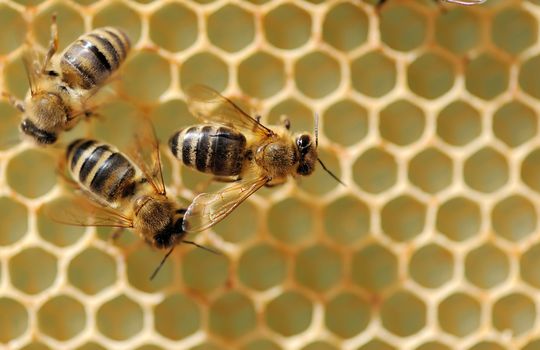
262 267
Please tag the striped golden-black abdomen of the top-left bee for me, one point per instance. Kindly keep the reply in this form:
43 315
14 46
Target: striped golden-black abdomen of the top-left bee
92 58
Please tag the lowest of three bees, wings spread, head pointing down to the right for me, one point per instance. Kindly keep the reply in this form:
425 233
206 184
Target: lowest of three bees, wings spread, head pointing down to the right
125 192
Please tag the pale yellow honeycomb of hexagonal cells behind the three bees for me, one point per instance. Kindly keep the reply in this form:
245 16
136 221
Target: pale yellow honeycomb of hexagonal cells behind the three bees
428 113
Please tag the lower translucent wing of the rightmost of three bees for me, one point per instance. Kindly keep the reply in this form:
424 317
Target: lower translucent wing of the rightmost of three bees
207 209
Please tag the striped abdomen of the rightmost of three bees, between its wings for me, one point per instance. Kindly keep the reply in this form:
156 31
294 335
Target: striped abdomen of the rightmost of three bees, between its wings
213 149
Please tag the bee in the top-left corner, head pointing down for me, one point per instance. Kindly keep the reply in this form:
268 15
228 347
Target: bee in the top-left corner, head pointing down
61 85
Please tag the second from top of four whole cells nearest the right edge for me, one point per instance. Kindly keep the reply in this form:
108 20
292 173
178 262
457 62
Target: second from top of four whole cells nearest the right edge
515 123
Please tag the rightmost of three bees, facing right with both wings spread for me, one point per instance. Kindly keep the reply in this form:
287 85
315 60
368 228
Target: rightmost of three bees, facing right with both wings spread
236 147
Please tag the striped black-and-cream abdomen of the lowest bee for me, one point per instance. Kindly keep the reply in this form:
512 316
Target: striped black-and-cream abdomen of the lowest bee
101 169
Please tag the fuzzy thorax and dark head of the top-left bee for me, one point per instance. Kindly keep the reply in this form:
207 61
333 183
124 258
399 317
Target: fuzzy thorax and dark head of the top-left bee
45 116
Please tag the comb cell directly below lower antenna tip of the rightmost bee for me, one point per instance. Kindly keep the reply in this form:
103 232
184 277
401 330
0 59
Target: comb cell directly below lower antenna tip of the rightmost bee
346 220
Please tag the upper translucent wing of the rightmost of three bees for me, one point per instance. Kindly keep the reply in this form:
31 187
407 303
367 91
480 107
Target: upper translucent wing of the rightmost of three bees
210 106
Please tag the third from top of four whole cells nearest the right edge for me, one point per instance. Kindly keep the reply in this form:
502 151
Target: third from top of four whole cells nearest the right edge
514 218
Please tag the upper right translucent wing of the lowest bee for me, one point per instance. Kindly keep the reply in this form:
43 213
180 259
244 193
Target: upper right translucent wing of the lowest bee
145 153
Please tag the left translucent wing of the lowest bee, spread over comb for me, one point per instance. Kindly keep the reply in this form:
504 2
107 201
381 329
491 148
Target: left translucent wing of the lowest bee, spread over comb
79 211
